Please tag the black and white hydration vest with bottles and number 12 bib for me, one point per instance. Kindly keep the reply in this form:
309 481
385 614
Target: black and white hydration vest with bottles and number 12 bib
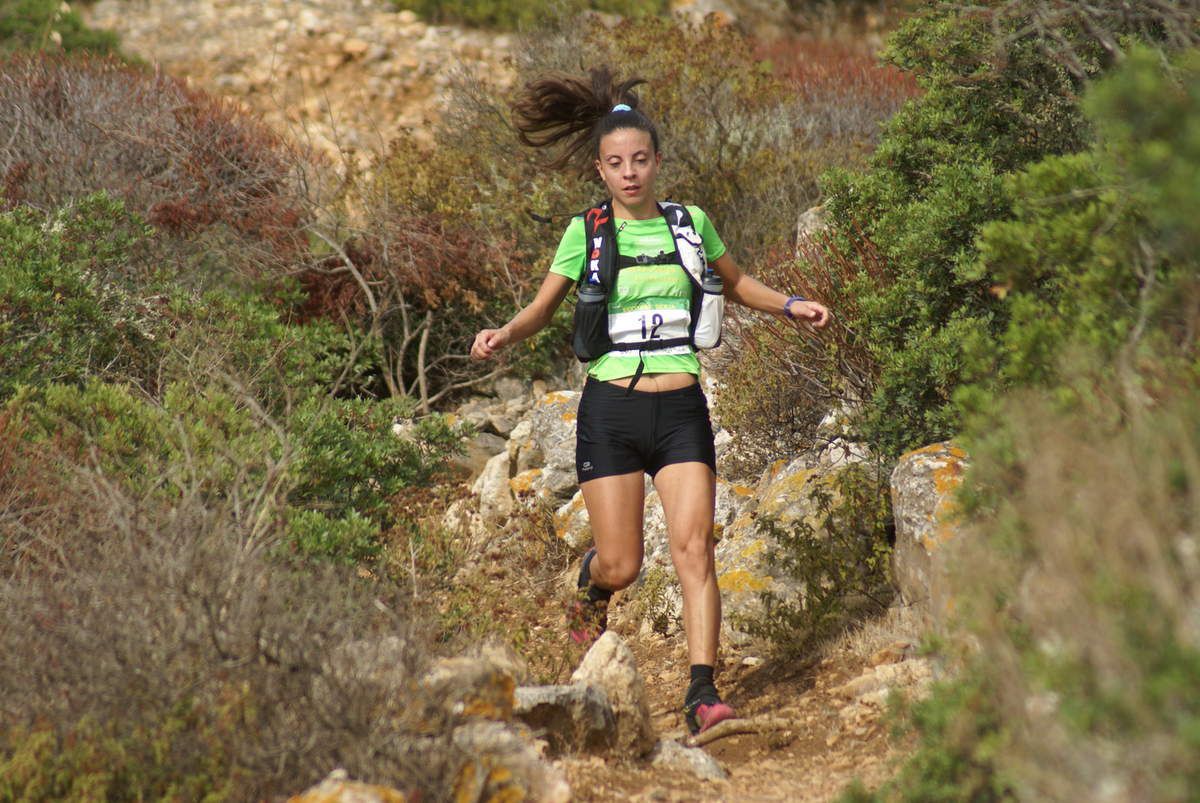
599 332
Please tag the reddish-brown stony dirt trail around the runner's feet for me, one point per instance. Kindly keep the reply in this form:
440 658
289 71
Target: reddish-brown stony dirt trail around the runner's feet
835 704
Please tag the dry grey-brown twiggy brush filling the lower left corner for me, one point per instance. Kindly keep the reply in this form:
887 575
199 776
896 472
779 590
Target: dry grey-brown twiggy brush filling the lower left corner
155 649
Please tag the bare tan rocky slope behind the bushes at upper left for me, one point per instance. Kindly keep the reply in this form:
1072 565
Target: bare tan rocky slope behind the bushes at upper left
344 76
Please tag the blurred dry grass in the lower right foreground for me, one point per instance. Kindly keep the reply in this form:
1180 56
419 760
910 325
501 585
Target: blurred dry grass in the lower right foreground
1089 546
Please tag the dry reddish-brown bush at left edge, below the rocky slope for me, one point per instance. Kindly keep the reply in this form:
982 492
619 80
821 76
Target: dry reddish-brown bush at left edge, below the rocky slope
190 164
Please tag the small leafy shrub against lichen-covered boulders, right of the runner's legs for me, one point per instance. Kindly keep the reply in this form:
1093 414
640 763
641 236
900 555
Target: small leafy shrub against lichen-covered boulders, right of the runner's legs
839 555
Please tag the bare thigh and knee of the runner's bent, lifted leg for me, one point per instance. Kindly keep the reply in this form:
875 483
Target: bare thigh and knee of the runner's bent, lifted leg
615 510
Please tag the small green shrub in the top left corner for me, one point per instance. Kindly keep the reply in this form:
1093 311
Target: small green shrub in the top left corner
50 26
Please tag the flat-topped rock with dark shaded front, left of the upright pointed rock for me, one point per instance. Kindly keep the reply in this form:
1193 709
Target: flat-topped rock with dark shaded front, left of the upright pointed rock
571 718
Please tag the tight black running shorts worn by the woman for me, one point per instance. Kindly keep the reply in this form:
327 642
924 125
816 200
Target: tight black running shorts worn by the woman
620 432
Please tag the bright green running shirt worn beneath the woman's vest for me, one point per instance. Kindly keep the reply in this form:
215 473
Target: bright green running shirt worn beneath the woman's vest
641 287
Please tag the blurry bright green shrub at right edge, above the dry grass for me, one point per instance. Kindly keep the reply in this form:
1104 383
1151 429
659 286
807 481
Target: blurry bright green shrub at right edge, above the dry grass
1101 251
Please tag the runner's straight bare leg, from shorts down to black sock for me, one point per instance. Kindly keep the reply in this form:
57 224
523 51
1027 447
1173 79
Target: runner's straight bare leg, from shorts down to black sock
688 493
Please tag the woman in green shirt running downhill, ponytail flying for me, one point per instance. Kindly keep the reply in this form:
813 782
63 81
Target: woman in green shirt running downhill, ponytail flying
643 411
